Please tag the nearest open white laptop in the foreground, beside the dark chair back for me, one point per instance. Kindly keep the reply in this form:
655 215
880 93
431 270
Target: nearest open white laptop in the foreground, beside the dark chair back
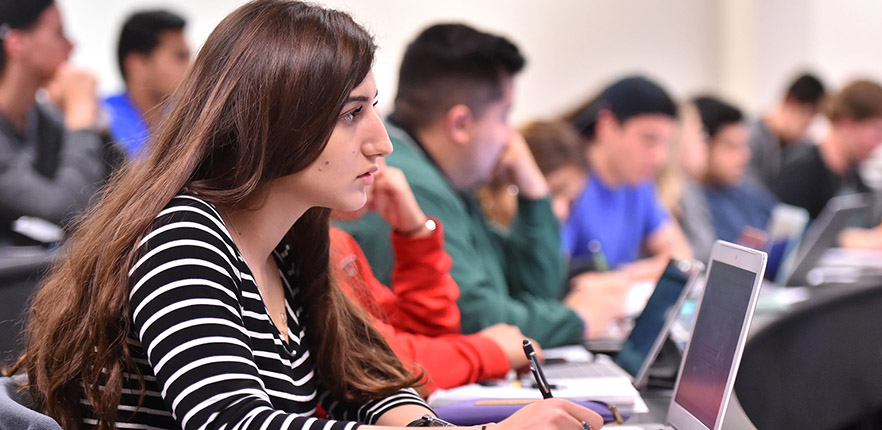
710 363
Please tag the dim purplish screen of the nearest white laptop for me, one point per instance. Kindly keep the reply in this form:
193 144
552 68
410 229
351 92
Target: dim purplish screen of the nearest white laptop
714 341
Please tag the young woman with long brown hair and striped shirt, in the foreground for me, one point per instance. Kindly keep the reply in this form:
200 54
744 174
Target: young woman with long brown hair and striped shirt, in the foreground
197 293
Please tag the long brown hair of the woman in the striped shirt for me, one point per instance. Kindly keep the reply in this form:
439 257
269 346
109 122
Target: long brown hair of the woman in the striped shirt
259 103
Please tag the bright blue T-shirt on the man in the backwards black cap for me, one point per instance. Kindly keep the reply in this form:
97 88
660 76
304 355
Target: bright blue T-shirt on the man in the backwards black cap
620 218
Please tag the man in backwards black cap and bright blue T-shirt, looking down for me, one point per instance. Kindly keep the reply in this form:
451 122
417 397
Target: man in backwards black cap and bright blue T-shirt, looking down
628 128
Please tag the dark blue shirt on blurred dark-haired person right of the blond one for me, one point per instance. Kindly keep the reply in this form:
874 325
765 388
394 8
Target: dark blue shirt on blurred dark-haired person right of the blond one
733 208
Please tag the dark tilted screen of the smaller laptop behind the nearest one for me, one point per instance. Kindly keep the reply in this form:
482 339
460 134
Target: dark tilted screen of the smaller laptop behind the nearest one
652 320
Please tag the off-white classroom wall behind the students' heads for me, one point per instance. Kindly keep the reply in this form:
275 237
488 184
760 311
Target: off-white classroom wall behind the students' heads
743 49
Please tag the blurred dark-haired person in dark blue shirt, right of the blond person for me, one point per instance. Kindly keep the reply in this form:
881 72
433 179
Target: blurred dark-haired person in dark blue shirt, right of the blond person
735 201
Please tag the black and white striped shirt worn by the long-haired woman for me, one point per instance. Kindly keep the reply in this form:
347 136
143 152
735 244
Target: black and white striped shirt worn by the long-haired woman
209 352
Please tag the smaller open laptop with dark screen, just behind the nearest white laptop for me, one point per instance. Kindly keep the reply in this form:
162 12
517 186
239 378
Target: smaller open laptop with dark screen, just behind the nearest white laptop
647 337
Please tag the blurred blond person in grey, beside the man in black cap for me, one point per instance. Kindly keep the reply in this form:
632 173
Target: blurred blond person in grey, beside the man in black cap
679 185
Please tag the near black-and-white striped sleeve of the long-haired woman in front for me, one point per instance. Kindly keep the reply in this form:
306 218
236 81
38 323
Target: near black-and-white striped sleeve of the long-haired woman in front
186 307
